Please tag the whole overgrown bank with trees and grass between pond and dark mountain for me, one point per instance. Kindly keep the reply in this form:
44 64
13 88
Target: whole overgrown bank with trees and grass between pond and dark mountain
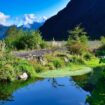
77 60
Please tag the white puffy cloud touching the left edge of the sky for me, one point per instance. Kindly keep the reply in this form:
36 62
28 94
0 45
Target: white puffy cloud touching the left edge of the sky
3 19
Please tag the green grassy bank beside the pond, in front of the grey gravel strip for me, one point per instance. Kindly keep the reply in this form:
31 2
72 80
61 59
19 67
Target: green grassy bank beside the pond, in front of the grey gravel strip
54 65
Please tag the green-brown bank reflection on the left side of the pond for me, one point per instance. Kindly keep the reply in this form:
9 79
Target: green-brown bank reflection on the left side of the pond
7 89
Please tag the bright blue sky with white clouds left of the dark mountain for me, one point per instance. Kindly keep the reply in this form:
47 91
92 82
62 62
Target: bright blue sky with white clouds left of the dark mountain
23 12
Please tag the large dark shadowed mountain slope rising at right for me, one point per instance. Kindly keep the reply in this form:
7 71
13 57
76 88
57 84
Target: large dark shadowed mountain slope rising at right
89 13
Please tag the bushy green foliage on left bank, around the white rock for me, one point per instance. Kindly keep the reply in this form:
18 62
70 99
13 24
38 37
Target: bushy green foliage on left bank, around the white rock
11 67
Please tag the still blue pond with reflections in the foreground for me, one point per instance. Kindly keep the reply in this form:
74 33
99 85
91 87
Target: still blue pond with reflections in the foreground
55 91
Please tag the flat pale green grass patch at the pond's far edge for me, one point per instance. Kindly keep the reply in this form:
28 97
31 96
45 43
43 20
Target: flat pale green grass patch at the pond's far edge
67 71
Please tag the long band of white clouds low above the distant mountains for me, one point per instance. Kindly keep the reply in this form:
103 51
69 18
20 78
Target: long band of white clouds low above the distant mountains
25 20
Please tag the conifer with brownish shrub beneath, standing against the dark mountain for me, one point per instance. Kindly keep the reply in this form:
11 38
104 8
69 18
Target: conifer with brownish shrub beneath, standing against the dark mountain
77 41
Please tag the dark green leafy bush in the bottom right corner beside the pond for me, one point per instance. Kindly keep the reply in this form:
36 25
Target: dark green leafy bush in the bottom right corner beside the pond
98 94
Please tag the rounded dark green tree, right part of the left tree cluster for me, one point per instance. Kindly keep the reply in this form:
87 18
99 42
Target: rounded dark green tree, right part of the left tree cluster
30 40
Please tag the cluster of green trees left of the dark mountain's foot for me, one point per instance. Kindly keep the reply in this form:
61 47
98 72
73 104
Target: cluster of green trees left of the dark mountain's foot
19 39
